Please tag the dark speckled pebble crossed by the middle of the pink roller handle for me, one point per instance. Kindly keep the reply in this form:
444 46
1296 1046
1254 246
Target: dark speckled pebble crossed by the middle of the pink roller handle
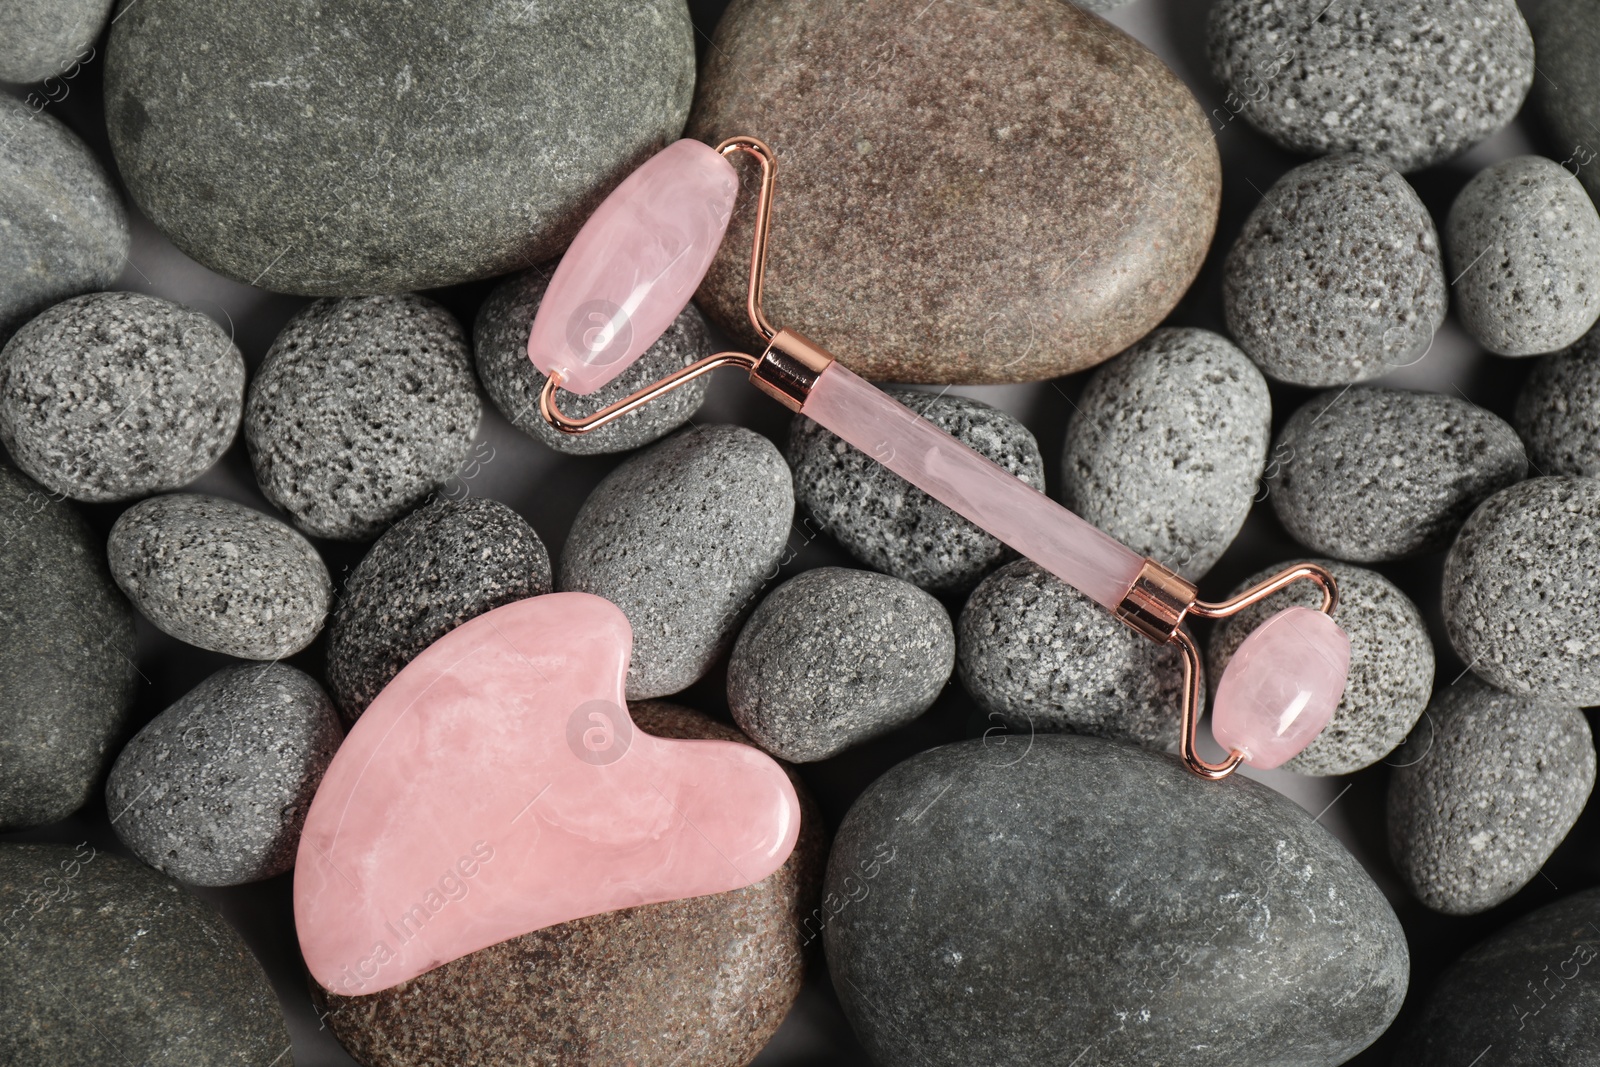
886 522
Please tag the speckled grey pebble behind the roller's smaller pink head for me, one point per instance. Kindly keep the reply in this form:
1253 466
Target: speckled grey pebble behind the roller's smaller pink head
1391 673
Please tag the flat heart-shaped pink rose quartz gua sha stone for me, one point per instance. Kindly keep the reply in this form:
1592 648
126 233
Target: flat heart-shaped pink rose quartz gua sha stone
498 786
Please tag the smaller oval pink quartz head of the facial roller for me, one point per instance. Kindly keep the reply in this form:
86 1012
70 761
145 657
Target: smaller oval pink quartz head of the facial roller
1281 687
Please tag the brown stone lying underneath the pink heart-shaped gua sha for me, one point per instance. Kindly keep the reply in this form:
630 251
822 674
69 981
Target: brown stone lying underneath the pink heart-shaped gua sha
703 981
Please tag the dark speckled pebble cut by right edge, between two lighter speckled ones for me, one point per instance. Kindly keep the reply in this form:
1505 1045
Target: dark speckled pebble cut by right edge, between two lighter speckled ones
1559 410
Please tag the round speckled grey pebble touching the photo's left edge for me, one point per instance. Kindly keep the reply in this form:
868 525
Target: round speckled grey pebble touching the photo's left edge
119 396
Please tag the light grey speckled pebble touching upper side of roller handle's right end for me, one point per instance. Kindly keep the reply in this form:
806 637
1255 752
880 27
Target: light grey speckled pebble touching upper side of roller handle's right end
1167 446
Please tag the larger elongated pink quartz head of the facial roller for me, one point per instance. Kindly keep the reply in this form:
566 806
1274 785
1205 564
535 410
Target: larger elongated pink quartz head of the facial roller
634 266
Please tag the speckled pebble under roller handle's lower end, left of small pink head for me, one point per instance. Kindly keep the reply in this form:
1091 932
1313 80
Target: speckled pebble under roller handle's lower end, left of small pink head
1041 657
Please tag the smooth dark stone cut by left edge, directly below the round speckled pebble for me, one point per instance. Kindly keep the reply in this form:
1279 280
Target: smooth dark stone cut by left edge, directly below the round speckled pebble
66 657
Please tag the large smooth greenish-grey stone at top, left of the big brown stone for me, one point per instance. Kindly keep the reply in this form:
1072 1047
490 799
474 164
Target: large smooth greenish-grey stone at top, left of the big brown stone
366 151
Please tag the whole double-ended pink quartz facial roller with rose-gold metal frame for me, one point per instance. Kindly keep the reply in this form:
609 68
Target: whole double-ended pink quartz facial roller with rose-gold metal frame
644 254
